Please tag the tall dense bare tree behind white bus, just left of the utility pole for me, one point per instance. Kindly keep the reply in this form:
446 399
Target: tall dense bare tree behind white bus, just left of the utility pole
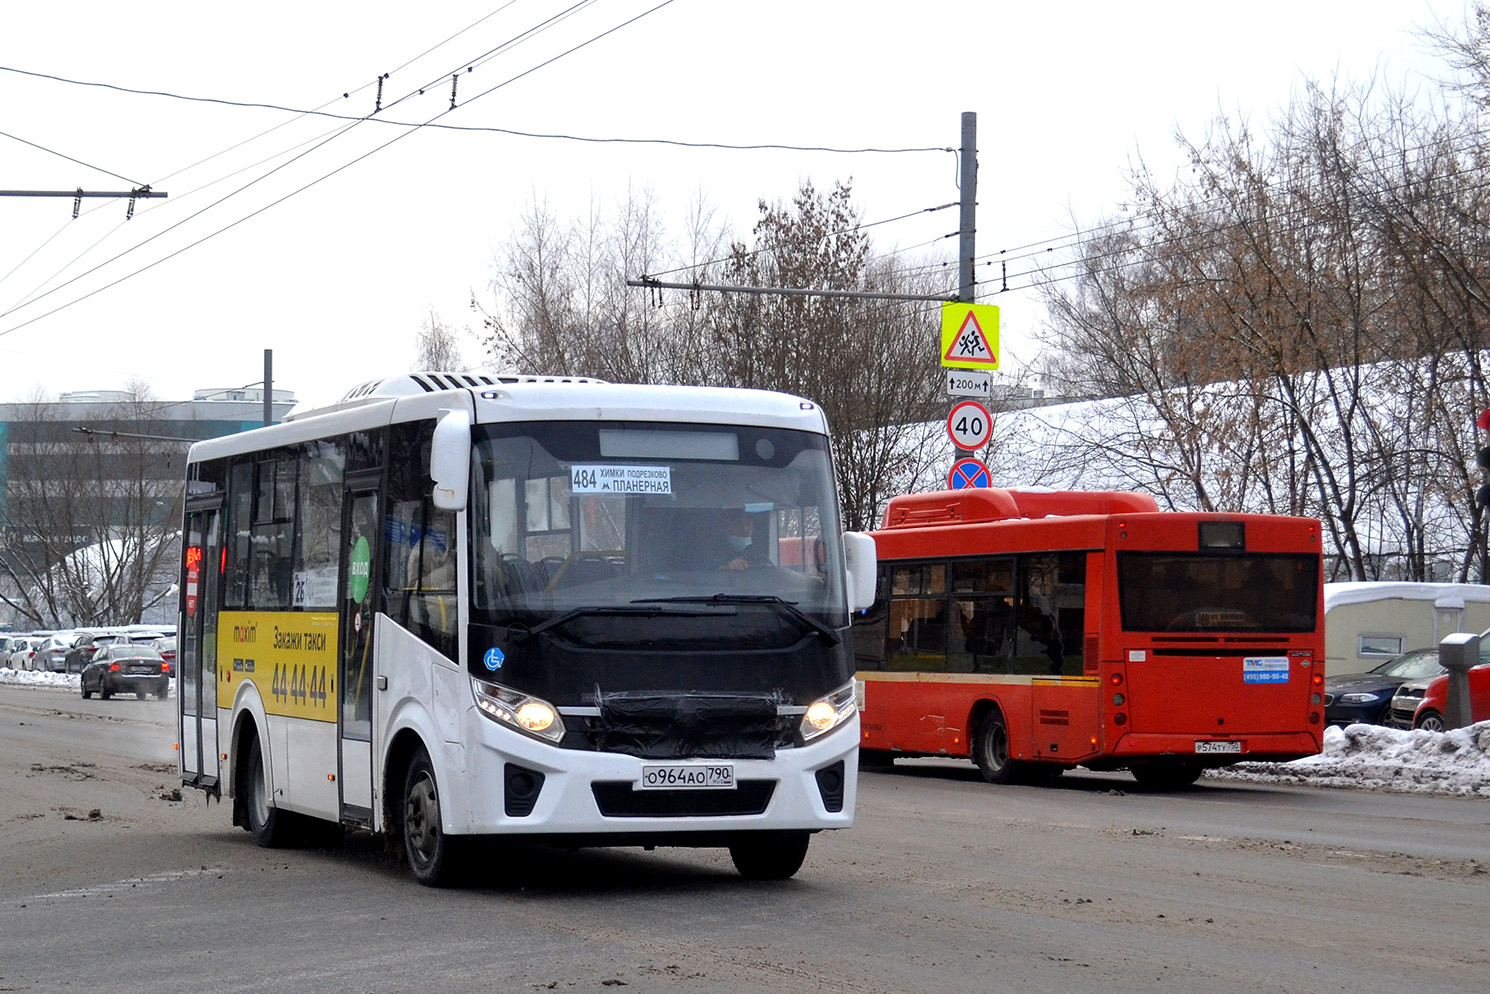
869 364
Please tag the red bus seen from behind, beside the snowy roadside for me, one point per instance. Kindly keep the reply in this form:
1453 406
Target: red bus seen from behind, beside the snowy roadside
1035 631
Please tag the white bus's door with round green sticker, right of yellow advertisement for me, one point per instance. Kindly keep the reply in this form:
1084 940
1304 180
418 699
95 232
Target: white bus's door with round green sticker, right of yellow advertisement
360 555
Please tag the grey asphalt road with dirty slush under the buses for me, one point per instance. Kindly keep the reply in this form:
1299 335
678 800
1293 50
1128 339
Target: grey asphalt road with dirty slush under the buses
945 884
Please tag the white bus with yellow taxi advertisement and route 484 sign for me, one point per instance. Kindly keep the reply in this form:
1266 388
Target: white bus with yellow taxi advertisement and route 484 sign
460 606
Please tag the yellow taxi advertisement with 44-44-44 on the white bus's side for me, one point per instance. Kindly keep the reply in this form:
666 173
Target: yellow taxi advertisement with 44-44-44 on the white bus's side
290 656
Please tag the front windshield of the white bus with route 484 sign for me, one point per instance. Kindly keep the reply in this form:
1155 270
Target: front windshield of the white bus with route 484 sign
570 516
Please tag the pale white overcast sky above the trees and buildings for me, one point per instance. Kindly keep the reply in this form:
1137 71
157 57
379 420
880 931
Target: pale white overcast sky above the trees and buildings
336 259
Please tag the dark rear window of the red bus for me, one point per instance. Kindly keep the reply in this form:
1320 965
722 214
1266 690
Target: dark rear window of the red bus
1214 592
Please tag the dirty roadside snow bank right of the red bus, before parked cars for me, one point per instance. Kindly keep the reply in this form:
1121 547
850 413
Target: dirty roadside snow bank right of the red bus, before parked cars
1376 758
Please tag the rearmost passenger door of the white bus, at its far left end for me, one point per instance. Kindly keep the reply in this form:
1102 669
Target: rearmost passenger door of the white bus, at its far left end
197 648
